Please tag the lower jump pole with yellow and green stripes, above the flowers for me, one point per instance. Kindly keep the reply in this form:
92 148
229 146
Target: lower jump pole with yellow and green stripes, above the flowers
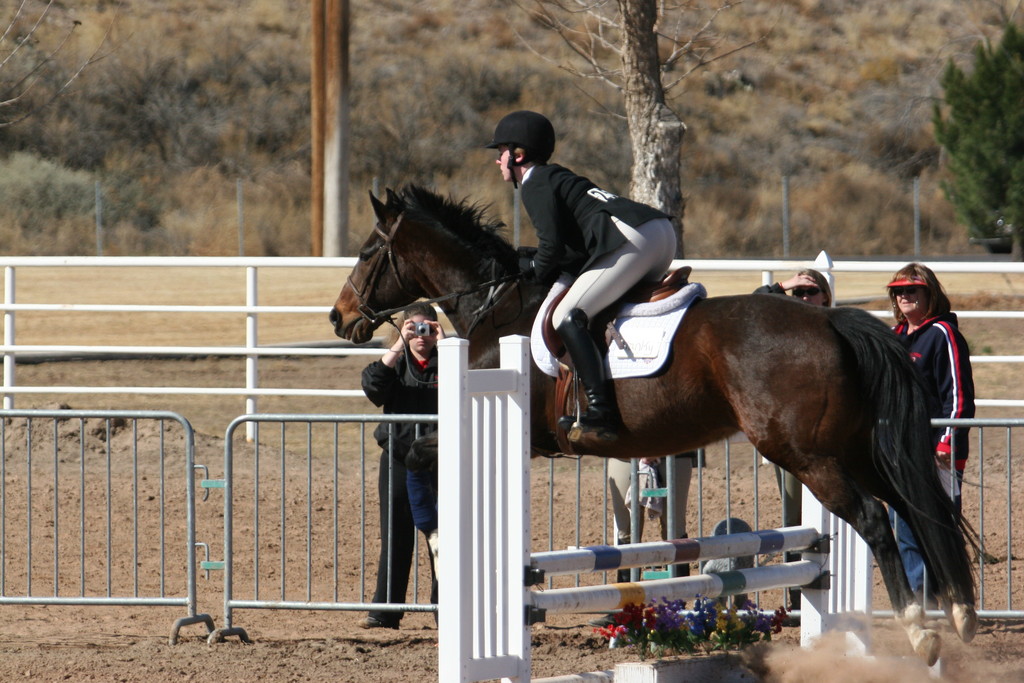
617 596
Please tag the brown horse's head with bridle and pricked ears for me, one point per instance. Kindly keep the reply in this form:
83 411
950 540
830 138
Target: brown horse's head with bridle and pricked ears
380 281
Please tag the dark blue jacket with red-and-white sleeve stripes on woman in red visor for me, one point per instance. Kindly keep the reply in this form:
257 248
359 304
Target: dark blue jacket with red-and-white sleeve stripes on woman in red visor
941 353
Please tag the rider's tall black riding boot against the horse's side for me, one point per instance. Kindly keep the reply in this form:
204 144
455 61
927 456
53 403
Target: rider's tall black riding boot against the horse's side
602 418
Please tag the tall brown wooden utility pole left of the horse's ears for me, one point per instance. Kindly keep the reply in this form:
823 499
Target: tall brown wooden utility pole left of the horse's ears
330 103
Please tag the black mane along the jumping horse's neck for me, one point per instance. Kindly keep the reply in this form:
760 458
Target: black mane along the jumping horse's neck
466 222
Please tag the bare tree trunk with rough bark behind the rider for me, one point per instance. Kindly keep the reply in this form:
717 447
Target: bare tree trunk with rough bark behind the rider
656 132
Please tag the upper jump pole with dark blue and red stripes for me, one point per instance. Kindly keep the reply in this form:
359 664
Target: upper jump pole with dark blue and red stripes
610 559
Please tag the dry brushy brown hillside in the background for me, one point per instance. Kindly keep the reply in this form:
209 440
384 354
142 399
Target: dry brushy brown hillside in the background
192 101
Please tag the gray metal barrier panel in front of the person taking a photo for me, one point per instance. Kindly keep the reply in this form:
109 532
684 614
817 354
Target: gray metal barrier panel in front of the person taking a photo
304 522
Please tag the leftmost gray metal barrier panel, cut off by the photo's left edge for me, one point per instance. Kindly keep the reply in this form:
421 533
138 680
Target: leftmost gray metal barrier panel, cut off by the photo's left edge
81 494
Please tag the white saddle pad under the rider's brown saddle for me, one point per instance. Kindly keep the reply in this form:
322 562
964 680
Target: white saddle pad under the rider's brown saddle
647 328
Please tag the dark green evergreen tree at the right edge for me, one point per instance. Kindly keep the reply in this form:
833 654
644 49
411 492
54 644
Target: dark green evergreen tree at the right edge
984 135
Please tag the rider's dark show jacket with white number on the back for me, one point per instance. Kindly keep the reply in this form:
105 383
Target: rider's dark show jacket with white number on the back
573 220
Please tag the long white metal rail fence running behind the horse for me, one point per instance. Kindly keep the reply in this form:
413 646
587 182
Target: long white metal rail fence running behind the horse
251 351
